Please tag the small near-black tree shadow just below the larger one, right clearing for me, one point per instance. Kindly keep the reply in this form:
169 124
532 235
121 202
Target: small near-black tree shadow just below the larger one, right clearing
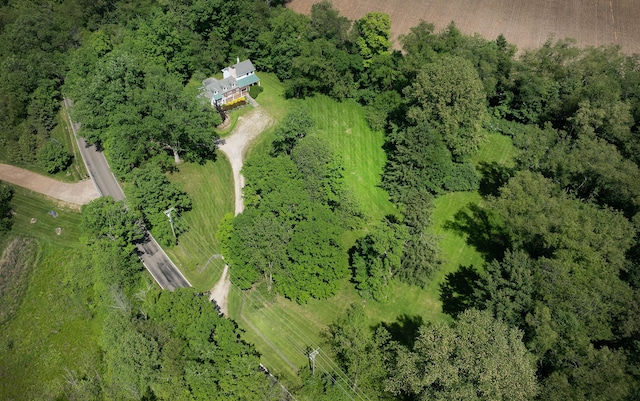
457 292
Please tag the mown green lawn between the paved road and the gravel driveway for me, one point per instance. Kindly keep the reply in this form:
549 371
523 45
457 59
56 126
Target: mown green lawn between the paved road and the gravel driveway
211 189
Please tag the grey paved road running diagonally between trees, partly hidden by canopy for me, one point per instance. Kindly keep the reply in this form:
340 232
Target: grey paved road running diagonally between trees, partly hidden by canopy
152 255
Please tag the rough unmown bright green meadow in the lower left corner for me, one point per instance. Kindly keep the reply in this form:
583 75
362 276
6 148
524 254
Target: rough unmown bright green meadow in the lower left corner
51 334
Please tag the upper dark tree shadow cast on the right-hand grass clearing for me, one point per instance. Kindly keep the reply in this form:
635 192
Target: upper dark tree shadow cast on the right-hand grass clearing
481 231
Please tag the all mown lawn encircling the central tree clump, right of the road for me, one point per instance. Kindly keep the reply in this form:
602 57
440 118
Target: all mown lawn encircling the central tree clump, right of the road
283 330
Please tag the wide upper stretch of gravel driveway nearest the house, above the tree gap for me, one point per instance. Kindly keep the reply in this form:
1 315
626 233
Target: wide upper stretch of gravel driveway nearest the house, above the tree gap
235 146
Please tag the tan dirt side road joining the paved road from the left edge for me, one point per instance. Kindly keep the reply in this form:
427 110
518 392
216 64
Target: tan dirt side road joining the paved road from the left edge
76 194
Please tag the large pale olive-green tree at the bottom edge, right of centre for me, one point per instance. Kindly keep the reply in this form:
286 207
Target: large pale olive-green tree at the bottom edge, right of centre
474 358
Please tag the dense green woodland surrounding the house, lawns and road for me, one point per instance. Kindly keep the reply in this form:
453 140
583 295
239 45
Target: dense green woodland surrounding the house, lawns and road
552 314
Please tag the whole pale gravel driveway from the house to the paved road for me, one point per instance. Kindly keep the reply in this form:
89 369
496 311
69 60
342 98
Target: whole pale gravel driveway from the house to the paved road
234 147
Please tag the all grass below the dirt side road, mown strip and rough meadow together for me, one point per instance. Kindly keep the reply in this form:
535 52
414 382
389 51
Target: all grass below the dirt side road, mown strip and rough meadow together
52 331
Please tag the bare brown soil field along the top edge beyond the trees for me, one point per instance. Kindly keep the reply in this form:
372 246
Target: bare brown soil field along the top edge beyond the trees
526 23
